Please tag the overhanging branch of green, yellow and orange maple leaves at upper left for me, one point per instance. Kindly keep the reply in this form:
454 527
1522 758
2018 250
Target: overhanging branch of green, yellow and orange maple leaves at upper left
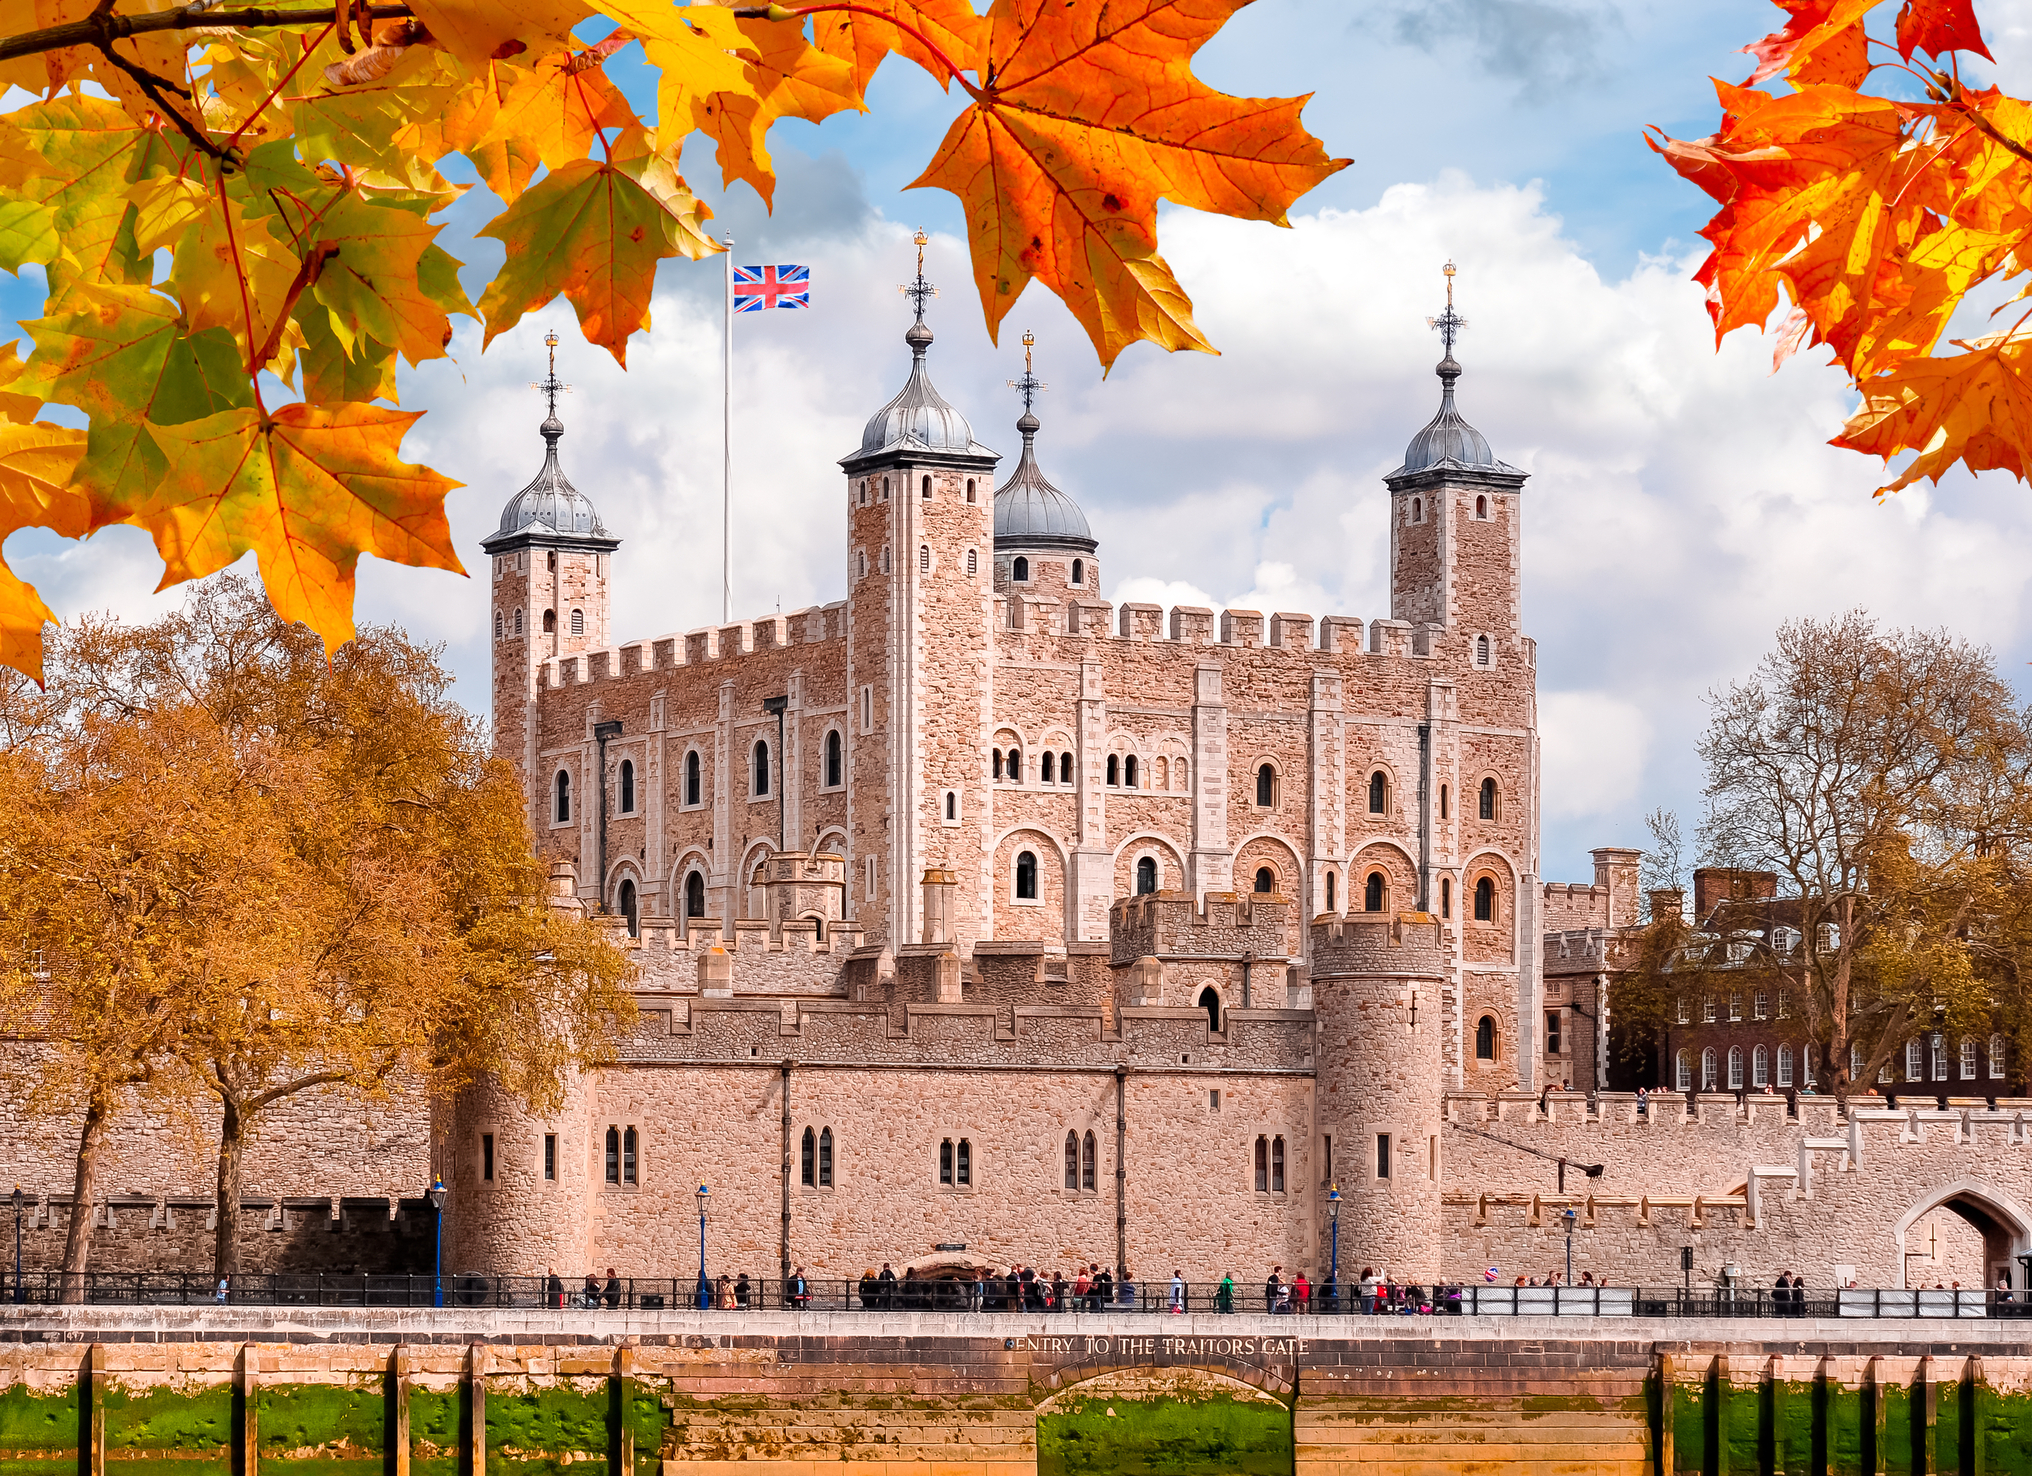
285 160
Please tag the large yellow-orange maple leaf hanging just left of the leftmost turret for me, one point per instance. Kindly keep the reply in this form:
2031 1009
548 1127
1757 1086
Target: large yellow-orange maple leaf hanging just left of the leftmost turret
310 489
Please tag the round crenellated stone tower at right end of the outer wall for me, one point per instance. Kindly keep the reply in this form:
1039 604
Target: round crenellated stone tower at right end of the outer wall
1377 1007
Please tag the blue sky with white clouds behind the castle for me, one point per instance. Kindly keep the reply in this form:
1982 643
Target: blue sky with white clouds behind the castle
1681 503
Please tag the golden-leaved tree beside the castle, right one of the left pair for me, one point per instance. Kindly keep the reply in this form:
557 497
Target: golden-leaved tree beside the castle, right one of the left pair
389 920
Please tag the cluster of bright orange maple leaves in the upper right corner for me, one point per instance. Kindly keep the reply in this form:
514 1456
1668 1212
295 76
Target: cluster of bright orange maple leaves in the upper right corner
1872 198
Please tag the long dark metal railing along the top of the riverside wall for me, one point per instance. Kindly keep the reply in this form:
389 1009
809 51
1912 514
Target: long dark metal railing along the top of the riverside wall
997 1296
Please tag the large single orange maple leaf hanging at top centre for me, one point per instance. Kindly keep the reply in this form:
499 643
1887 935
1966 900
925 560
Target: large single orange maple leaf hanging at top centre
1090 115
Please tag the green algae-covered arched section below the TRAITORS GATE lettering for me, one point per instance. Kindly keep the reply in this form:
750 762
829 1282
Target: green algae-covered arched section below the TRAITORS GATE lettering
1216 1436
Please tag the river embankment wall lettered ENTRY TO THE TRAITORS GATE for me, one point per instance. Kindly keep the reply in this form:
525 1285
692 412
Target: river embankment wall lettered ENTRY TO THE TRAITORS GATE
454 1394
